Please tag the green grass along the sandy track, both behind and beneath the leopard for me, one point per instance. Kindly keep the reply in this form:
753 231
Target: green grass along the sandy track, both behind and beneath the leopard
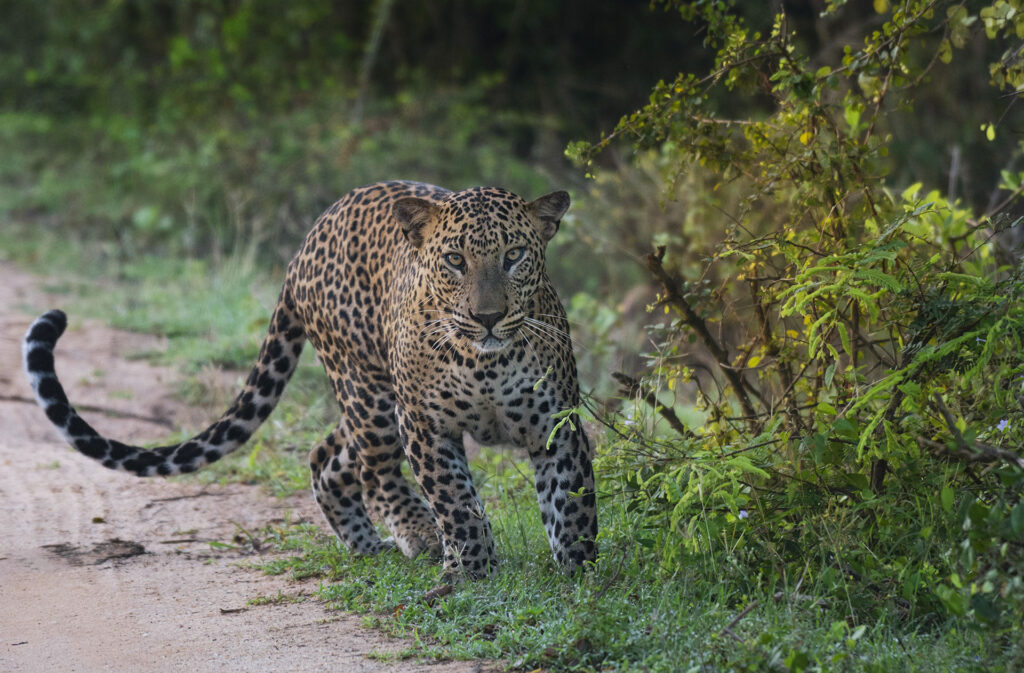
625 615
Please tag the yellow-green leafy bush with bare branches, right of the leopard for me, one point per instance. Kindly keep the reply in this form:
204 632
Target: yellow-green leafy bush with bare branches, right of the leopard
856 352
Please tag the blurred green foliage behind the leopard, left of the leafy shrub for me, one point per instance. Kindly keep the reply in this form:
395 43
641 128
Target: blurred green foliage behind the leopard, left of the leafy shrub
198 129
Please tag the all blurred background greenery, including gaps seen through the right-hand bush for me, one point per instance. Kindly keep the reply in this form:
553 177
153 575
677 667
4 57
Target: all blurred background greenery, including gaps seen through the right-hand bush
198 127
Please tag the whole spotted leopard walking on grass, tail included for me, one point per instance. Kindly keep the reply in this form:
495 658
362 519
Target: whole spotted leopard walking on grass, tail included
435 319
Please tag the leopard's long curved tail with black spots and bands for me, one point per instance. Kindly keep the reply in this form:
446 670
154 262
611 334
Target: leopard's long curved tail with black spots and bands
278 360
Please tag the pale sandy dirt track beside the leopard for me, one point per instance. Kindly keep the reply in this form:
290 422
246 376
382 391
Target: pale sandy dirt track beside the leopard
101 571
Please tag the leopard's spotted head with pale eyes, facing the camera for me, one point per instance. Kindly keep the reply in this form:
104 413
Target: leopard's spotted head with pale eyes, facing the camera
482 255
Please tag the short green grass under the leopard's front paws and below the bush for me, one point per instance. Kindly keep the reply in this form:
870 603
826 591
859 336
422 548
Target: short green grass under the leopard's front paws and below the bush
624 615
